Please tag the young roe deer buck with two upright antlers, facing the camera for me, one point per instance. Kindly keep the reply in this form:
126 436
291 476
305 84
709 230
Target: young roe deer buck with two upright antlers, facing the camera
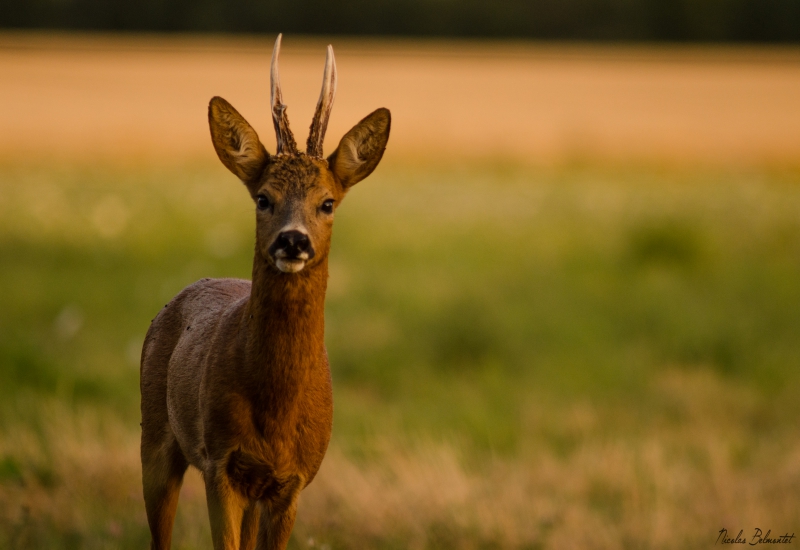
234 376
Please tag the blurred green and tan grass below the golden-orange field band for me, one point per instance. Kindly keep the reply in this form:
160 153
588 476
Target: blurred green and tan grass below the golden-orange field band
581 356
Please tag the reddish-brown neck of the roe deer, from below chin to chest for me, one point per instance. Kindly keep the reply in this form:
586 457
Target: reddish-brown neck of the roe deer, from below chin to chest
285 327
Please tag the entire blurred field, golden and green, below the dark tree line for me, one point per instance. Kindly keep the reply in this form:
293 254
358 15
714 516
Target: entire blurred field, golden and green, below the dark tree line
563 313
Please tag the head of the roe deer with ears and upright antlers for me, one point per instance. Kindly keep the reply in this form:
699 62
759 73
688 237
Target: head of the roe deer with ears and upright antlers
296 193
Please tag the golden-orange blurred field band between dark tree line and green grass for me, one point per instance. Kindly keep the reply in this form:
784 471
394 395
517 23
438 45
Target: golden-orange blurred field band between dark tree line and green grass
113 96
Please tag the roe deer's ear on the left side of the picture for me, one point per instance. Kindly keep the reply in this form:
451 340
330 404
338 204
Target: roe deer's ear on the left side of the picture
235 141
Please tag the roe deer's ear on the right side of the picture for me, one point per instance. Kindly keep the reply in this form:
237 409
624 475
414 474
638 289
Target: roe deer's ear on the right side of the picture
361 148
